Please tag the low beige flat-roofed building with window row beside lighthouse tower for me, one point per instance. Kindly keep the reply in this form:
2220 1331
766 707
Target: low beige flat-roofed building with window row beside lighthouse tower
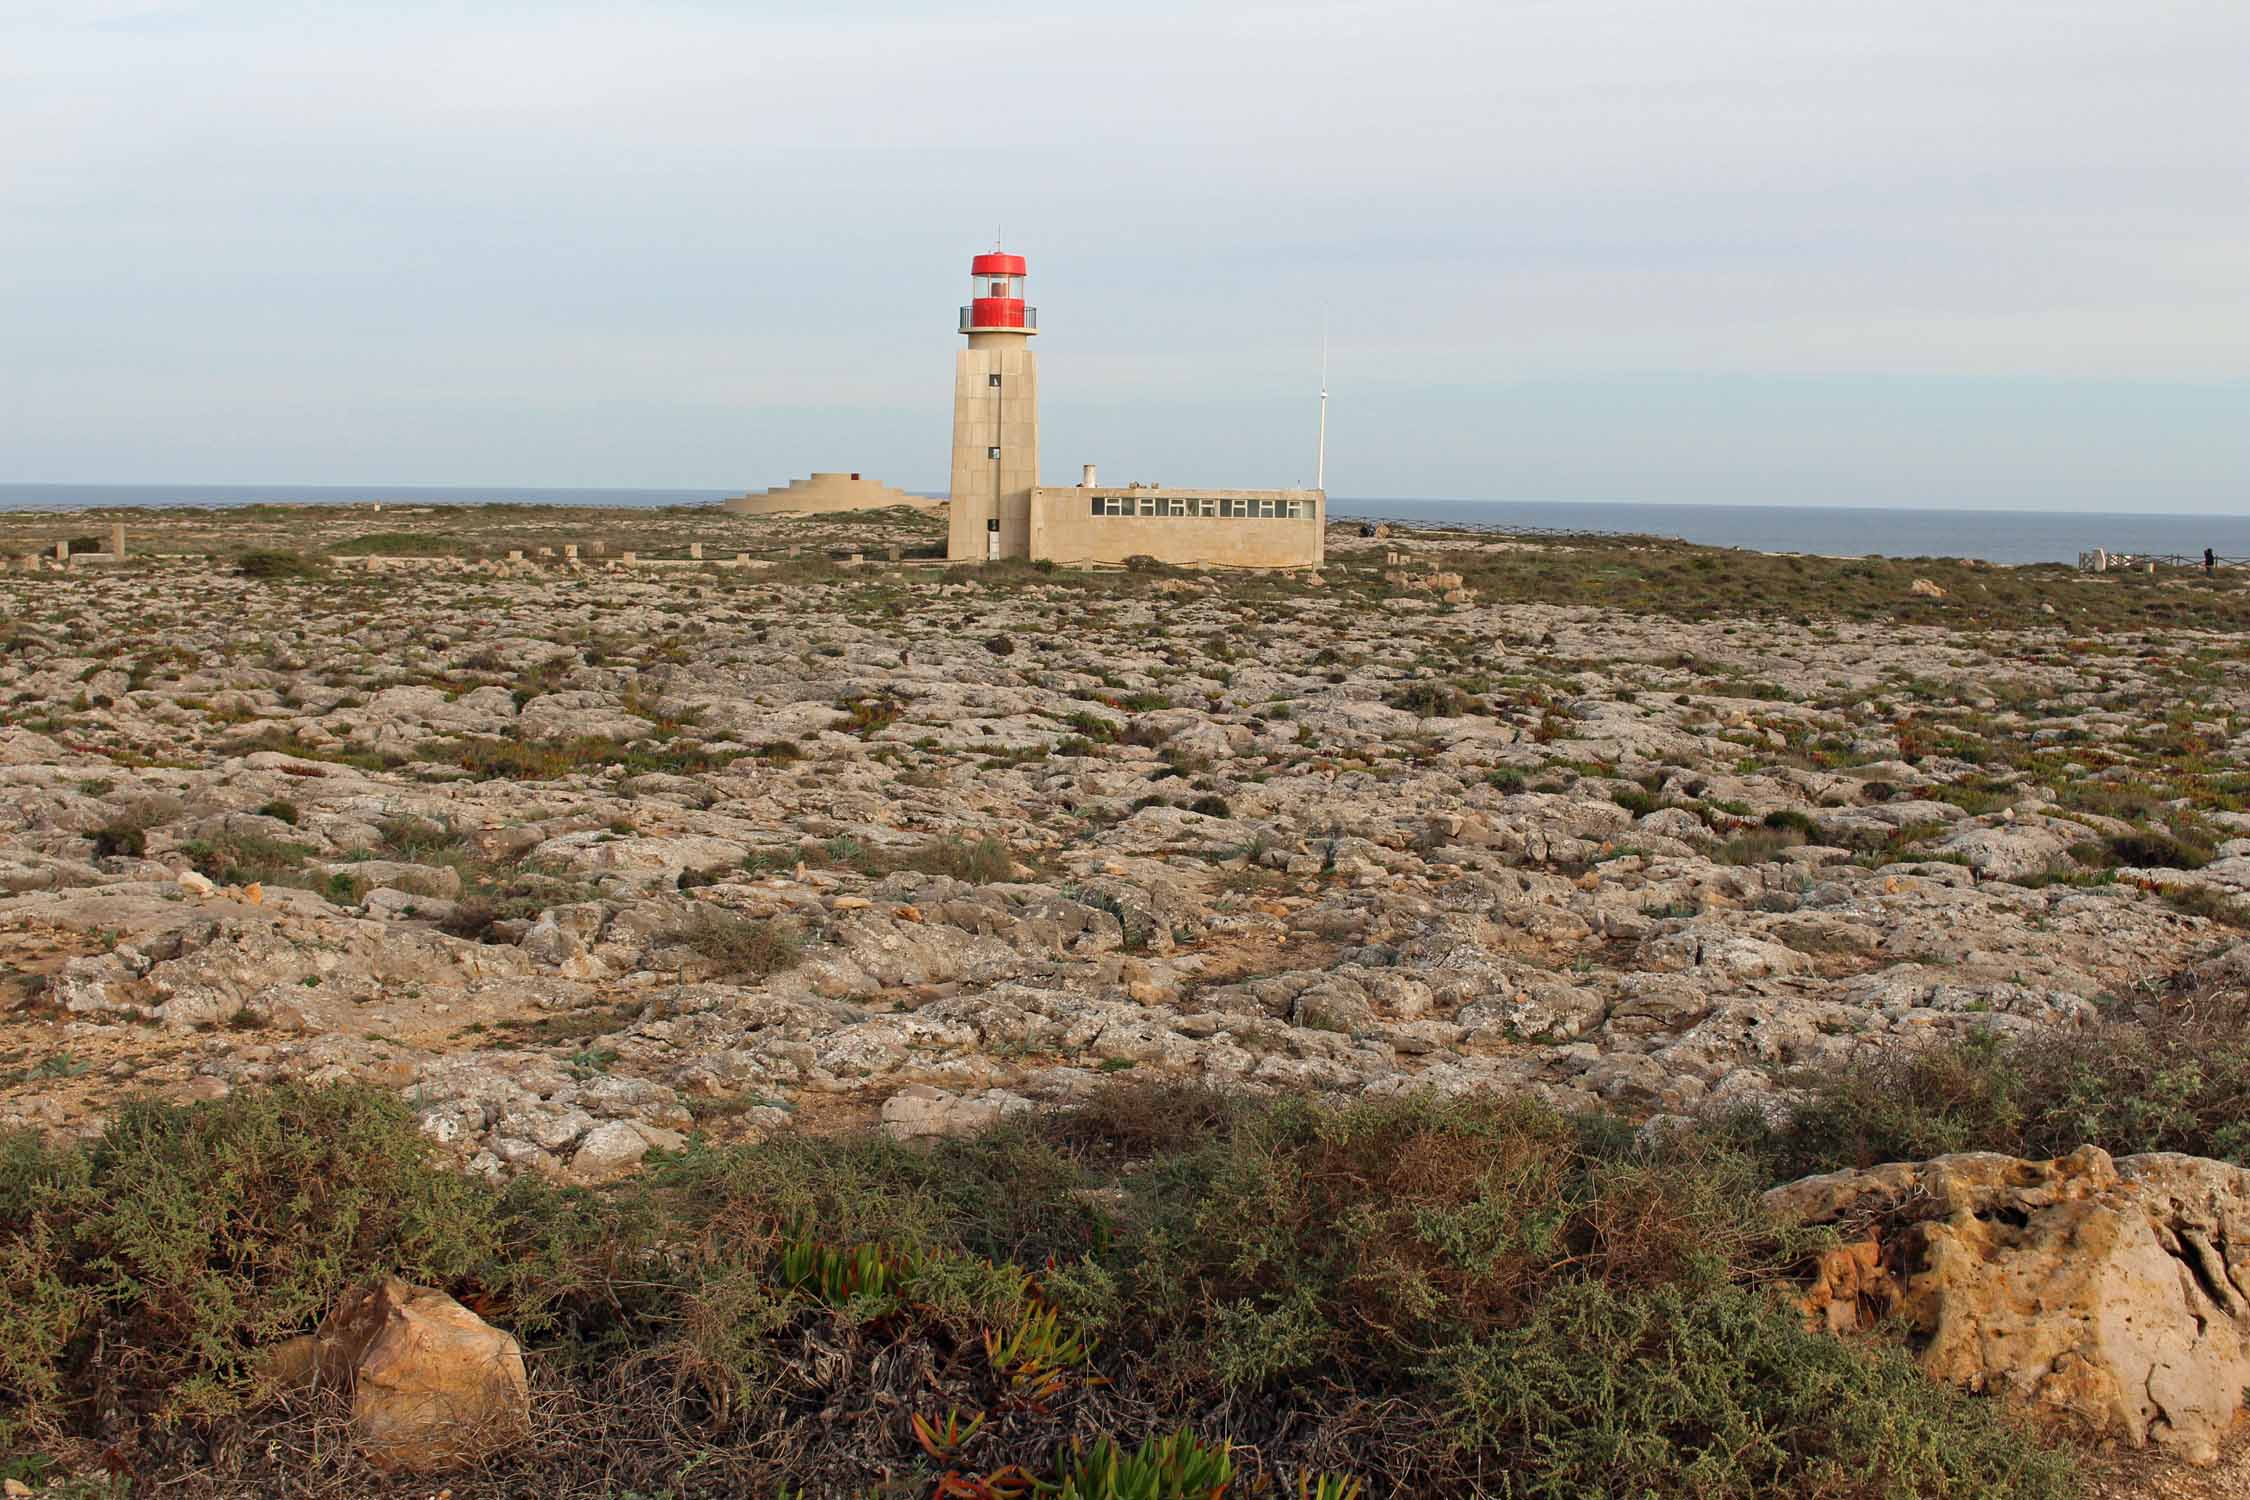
1270 530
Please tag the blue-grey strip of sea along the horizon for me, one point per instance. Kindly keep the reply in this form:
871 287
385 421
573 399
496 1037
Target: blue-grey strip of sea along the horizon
1839 532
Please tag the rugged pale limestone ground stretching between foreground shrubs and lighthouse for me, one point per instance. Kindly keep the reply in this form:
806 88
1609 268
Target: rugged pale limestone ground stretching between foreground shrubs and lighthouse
591 858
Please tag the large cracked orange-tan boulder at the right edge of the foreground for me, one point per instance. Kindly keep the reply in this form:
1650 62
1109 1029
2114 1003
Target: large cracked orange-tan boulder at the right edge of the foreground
2114 1294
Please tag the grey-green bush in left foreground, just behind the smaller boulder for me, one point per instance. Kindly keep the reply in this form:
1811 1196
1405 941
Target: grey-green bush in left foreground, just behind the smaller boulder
188 1240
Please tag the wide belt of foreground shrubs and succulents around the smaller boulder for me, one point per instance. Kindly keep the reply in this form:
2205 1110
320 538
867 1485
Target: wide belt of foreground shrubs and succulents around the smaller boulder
1461 1296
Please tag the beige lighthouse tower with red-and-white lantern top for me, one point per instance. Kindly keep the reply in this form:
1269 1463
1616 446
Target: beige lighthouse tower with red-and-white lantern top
996 417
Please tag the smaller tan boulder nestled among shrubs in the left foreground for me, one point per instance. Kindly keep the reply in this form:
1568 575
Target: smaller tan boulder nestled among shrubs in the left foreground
433 1386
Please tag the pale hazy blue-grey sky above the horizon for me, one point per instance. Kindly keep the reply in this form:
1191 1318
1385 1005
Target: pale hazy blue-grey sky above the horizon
1657 251
